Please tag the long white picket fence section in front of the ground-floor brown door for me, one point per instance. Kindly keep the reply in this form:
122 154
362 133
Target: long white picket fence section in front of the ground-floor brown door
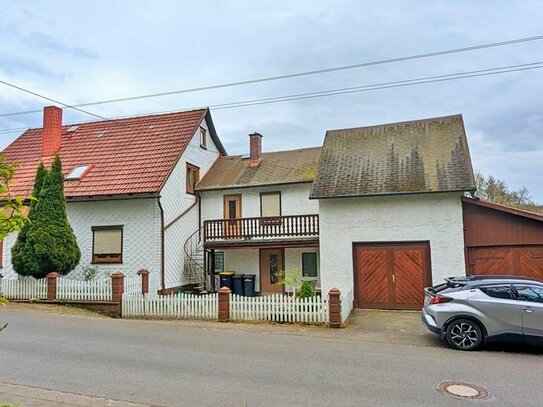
279 308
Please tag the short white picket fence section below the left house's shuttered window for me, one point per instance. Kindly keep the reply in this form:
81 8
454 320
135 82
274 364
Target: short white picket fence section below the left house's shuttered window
80 290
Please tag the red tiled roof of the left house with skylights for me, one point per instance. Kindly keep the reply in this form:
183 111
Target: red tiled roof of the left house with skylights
126 156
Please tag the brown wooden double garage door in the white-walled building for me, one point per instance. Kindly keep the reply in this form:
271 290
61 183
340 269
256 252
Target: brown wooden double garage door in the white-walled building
391 276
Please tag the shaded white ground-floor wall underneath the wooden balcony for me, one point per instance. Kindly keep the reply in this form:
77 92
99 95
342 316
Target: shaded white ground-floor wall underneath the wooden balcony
247 261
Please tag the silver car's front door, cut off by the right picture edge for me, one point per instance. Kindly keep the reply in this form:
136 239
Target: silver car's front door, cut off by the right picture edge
531 305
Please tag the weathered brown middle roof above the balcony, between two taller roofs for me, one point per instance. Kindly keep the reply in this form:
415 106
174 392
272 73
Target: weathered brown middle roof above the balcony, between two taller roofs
280 167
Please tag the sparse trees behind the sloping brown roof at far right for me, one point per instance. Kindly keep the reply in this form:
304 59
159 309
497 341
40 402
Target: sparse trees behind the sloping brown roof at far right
495 190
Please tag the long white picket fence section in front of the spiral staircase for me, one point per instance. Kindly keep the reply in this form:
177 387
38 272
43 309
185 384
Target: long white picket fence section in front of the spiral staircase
178 306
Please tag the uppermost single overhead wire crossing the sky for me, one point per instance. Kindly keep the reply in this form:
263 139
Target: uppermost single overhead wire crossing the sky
296 74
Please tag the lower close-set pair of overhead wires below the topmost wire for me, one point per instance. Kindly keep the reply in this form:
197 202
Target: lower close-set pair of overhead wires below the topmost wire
354 89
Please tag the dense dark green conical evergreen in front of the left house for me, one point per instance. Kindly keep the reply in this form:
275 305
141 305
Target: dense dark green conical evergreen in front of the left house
49 242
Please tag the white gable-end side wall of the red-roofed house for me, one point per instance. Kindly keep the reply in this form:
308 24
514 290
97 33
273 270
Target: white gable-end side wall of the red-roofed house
175 201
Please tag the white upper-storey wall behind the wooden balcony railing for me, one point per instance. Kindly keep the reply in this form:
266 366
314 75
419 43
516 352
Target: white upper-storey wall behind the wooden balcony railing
294 200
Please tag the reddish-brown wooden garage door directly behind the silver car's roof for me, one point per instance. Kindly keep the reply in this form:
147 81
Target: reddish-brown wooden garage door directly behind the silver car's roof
524 261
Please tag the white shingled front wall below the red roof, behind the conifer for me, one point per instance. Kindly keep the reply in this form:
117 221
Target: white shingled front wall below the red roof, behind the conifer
140 219
